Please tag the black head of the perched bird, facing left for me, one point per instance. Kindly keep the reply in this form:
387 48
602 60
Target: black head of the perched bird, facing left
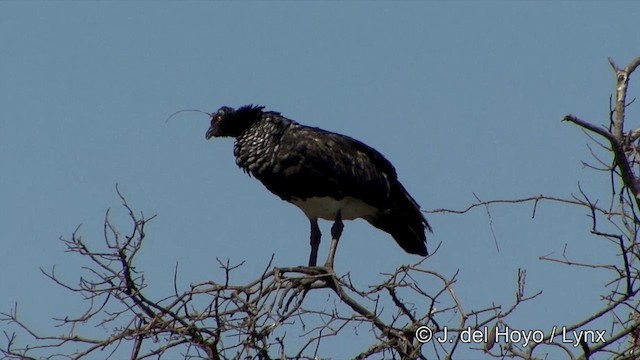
230 122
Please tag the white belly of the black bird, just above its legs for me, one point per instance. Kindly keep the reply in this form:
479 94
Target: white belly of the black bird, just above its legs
327 207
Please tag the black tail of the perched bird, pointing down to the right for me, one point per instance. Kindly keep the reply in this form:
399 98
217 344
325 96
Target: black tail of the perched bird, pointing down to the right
406 224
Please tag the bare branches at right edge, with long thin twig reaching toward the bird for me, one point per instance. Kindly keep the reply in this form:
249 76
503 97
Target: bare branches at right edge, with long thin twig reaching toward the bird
621 302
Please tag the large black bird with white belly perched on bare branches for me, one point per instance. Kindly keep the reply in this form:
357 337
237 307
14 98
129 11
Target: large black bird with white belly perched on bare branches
327 175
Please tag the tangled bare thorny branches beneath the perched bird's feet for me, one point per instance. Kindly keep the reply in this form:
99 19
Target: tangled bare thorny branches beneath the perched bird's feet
271 316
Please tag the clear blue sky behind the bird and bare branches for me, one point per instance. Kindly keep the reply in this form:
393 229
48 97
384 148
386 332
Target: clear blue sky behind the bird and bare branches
462 97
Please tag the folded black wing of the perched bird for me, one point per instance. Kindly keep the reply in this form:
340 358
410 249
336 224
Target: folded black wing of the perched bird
314 162
